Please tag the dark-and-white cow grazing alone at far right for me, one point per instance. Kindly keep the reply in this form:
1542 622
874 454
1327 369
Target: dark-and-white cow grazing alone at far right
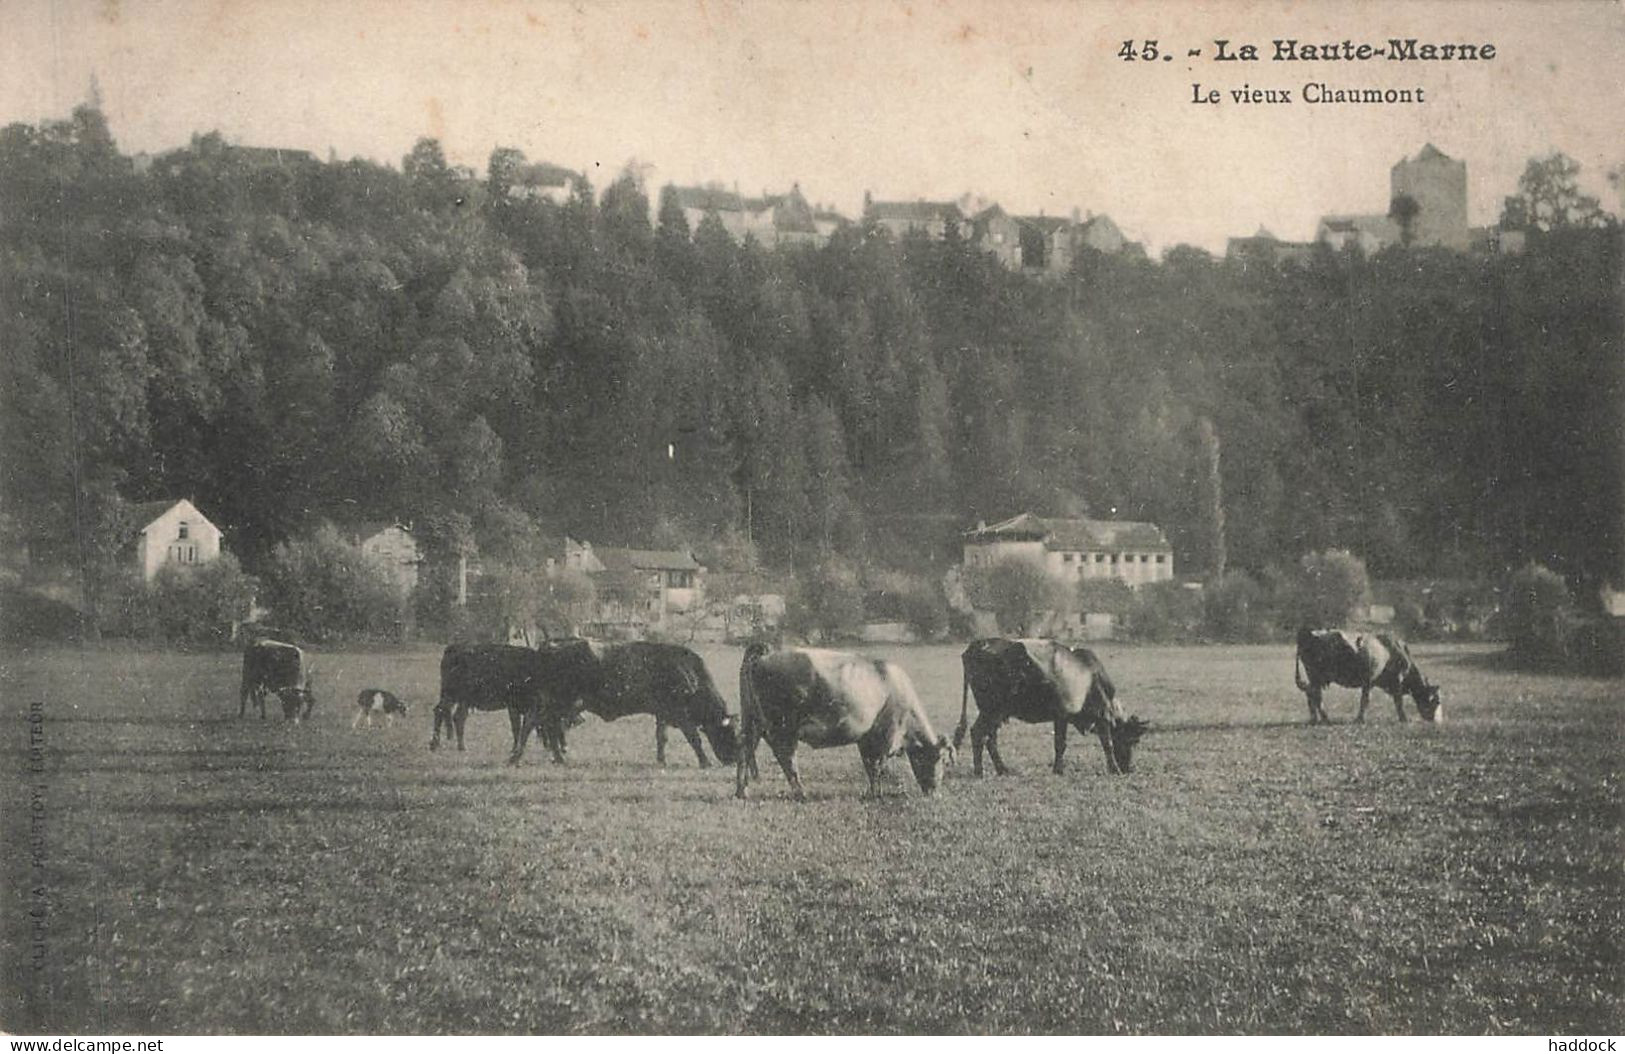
1363 662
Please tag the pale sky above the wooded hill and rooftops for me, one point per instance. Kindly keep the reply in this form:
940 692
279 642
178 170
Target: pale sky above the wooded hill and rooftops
1025 103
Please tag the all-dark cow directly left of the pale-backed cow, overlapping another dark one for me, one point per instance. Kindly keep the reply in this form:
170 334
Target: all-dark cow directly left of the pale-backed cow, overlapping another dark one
622 680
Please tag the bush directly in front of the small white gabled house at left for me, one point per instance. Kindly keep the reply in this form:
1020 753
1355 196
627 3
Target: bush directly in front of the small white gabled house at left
181 605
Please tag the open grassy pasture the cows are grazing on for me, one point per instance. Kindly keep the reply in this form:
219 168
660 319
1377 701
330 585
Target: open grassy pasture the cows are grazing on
194 873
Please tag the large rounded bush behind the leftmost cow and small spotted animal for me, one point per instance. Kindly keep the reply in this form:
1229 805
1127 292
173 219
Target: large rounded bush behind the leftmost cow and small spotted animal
324 587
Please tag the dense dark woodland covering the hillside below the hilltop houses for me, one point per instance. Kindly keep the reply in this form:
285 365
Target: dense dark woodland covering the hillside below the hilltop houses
292 343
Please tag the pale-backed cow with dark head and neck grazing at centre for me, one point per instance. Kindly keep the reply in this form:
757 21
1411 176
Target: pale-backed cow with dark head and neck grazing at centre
834 699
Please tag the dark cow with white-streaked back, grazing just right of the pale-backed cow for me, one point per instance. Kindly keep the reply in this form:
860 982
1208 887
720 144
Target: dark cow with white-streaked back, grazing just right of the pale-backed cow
1042 681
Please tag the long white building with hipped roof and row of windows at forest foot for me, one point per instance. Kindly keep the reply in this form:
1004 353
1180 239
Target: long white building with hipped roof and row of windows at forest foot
1075 550
